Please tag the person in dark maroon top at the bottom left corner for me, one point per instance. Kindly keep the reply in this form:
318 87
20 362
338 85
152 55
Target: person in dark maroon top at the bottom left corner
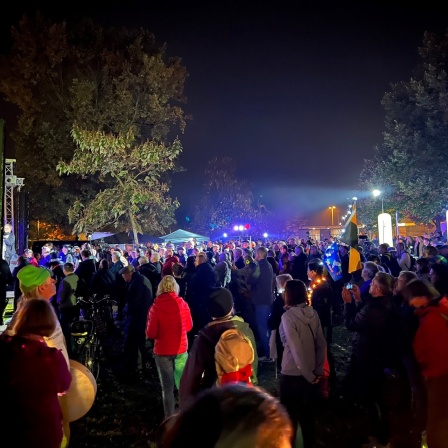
32 376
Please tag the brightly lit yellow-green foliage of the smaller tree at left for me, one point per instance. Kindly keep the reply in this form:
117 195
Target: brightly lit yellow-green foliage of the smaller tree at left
133 194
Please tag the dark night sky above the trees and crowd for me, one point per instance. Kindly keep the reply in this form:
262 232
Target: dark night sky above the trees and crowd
290 91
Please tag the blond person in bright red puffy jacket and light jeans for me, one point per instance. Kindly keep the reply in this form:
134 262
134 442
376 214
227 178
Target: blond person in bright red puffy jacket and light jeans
169 321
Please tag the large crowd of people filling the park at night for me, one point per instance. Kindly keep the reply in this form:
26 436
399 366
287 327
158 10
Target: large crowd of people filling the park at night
283 299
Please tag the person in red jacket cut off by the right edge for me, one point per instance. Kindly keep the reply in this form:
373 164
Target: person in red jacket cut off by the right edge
431 351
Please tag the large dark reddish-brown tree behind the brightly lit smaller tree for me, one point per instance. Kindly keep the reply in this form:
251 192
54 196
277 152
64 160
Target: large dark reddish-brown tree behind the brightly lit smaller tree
111 81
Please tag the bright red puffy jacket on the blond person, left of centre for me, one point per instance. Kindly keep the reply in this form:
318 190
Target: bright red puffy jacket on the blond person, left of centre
169 321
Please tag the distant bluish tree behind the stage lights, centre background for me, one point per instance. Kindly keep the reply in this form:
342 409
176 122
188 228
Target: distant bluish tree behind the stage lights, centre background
227 200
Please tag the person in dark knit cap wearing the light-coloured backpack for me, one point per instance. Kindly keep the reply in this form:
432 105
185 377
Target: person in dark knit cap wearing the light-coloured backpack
200 370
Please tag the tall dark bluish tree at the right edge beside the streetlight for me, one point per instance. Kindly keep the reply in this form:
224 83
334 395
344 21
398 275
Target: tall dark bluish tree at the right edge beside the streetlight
410 165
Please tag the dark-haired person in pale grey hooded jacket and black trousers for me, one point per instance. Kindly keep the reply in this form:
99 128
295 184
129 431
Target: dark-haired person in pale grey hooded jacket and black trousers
303 359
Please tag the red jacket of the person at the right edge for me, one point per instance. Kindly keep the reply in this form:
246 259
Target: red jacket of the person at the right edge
430 342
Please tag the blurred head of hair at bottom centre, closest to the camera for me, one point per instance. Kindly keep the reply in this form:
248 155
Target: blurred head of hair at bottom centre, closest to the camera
237 415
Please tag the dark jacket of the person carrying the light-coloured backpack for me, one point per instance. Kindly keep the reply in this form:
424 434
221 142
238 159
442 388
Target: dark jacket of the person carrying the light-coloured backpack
200 371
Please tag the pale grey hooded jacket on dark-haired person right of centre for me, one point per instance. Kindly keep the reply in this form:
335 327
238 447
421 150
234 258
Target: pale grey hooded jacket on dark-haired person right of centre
304 343
